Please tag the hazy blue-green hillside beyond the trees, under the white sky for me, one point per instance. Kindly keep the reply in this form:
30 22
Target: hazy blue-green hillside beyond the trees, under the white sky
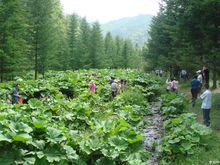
133 28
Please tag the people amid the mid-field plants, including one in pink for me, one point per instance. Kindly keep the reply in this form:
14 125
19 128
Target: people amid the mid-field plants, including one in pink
117 86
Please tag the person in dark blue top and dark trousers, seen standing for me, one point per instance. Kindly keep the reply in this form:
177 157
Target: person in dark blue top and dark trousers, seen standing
195 85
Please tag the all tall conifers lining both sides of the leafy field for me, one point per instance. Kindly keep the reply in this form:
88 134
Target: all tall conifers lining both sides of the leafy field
36 36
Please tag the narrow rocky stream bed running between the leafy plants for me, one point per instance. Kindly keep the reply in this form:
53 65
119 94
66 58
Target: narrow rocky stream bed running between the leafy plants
153 132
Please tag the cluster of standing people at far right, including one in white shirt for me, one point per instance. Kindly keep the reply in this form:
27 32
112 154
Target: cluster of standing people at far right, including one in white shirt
200 80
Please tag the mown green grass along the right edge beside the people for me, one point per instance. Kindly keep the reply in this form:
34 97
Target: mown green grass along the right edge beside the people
209 152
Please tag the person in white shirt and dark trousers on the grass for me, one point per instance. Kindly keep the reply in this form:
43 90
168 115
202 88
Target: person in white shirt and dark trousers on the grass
206 105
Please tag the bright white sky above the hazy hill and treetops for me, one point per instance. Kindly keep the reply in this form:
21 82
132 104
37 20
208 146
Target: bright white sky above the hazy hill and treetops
108 10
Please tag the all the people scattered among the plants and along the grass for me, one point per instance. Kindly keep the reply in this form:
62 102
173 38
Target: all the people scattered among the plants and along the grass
200 80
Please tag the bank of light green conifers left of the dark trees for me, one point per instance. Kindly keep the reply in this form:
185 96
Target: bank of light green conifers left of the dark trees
36 36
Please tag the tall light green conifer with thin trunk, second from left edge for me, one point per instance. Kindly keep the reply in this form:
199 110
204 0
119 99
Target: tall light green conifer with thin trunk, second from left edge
42 24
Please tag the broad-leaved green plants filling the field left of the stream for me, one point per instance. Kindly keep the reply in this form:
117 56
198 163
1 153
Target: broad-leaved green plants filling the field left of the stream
61 122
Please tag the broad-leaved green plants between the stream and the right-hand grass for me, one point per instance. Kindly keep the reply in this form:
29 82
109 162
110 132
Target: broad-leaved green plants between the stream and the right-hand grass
182 131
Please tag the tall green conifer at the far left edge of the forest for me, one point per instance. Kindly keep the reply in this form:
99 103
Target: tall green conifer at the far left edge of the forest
13 45
